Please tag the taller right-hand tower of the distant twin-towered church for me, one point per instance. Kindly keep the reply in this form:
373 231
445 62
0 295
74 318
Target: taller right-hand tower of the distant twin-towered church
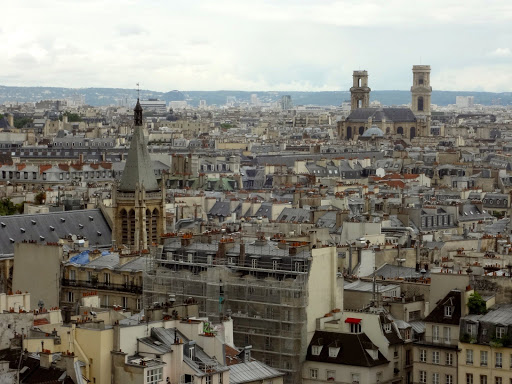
421 92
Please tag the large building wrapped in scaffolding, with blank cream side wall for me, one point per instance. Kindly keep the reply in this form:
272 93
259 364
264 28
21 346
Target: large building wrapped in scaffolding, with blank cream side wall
274 291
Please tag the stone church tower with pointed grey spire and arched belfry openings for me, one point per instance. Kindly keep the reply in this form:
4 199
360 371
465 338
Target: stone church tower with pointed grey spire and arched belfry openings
138 201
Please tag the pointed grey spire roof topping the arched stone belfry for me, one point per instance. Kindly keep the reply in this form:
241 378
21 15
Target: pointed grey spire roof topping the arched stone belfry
139 167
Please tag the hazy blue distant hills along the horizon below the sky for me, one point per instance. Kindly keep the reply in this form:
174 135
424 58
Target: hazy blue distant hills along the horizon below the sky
115 96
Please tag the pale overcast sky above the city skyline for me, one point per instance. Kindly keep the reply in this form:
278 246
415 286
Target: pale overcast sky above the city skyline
300 45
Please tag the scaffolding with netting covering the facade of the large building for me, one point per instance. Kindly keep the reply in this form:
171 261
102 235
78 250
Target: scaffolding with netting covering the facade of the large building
266 301
